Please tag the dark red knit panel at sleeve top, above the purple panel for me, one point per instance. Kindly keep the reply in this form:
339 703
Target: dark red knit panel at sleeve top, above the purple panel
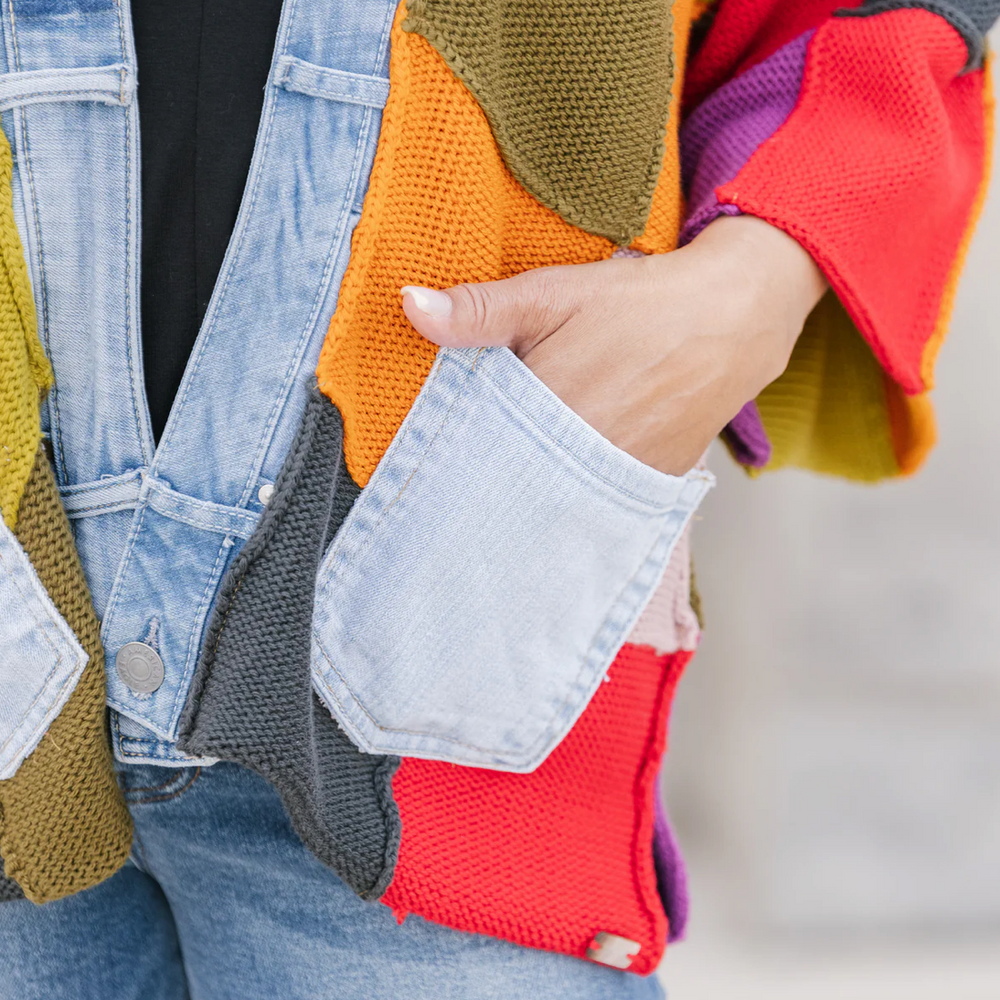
746 32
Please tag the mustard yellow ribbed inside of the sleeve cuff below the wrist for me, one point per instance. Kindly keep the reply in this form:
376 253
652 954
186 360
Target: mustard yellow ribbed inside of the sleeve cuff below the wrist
828 411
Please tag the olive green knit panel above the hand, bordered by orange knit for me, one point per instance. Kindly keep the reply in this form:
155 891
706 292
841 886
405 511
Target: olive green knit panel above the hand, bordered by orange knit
577 95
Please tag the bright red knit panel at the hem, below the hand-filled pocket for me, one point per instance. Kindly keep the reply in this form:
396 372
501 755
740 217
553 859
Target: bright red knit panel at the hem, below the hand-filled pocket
550 858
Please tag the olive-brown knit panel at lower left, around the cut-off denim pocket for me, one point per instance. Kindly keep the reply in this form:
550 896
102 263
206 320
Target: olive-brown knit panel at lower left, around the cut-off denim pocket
63 821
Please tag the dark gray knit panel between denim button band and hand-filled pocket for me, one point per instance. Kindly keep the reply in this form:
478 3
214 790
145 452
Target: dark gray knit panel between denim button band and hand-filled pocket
252 700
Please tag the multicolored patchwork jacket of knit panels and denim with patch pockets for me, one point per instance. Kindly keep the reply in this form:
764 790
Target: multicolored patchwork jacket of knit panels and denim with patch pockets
413 589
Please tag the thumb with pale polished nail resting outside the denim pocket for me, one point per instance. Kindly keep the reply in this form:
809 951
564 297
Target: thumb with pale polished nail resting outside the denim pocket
517 312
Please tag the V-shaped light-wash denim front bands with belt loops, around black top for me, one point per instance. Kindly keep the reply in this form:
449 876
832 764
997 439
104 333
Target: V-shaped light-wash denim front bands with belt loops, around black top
157 527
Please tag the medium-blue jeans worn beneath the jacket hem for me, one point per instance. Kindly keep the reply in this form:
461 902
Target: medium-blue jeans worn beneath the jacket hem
221 900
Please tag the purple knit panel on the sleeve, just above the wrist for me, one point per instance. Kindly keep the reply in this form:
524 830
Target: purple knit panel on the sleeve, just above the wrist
725 130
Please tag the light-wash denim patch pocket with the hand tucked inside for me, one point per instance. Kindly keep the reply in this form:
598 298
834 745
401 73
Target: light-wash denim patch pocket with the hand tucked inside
485 579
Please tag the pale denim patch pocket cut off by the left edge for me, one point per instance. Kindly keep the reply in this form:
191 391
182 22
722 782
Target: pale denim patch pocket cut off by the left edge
40 658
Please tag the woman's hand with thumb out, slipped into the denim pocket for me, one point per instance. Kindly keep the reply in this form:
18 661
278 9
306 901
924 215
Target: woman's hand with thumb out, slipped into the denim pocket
657 353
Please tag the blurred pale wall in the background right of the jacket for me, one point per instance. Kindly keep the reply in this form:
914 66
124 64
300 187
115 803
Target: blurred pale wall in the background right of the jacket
835 753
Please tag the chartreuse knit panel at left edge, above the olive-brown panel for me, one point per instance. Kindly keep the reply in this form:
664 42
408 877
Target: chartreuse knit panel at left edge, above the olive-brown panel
24 370
